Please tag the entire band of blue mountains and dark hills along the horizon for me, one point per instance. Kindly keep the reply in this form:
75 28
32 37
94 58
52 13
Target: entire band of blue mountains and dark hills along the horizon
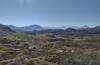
38 28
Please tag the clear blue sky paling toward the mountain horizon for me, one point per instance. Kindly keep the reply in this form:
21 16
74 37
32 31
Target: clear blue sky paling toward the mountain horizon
50 12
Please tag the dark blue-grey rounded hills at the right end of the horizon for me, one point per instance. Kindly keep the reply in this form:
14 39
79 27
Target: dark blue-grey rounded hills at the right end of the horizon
84 30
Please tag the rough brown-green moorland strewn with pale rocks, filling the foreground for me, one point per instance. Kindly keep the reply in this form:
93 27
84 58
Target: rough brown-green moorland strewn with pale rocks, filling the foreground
49 49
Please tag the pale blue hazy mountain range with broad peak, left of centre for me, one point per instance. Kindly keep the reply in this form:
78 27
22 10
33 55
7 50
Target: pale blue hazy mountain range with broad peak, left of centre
32 28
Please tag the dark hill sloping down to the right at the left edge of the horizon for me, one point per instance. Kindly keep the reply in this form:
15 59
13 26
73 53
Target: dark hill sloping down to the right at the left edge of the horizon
5 30
